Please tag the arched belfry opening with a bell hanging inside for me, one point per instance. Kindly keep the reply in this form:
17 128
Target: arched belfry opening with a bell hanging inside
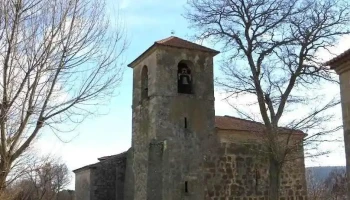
184 78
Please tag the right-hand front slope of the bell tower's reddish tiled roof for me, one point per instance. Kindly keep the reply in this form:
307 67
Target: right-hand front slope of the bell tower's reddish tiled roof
181 43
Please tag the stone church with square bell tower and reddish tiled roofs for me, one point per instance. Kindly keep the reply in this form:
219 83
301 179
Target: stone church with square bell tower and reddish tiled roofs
180 149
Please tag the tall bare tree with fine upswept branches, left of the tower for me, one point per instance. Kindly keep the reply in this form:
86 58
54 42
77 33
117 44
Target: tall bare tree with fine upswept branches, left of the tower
59 60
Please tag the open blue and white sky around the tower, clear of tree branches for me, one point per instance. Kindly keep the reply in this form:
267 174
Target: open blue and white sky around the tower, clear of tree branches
146 21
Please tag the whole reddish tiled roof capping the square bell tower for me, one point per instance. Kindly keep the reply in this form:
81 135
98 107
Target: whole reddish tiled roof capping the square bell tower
177 43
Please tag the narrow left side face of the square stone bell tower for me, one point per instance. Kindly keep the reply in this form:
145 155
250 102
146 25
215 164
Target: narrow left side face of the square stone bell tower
141 128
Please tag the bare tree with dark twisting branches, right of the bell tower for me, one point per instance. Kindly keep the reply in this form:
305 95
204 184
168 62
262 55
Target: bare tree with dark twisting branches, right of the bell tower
271 51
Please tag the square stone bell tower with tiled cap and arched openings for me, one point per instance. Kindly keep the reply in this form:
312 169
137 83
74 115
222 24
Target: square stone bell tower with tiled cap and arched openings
173 119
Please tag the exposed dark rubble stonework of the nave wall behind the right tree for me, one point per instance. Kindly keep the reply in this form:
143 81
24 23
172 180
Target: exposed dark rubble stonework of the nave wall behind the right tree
239 171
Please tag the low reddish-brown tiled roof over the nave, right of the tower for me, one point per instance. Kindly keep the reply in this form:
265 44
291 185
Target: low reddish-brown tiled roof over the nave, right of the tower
233 123
